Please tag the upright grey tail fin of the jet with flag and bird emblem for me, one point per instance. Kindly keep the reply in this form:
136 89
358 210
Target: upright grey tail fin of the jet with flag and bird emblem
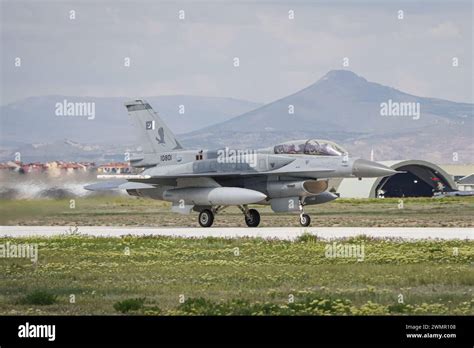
152 133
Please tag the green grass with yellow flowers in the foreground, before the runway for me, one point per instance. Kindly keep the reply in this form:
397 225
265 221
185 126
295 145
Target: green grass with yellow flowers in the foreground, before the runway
173 276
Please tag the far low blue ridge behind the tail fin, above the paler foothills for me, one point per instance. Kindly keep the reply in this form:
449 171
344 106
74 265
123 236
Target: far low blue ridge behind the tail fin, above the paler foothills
34 120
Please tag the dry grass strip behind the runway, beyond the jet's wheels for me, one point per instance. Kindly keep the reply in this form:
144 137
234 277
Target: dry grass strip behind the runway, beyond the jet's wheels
130 211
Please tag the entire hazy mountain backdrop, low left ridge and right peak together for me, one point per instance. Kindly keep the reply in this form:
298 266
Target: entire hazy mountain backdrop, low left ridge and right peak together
341 106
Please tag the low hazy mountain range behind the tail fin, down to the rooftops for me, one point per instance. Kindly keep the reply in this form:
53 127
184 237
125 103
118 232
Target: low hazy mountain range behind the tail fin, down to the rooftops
32 128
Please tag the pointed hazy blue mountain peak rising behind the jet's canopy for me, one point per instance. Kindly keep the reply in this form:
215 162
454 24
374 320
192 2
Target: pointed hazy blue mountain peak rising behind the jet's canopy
359 114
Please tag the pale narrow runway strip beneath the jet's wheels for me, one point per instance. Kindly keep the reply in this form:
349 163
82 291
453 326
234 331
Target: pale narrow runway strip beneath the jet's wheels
284 233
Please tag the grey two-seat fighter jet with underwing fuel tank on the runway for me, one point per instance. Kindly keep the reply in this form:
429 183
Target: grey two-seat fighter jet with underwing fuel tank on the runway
287 176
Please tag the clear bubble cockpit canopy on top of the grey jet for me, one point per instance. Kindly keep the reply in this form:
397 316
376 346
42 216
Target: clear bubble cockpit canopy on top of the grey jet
310 147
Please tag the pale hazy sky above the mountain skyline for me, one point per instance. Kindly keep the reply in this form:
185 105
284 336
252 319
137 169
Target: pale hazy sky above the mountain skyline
278 56
